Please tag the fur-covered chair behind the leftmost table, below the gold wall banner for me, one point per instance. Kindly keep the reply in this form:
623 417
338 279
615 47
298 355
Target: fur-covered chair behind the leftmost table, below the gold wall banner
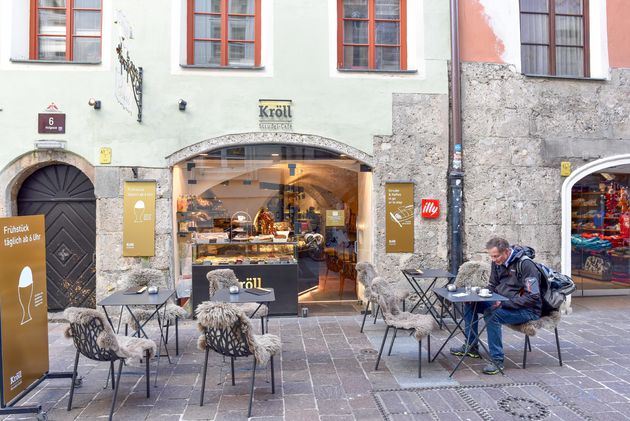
141 277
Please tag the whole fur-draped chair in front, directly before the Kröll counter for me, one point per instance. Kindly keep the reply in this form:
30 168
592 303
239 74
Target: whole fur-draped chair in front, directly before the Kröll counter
226 329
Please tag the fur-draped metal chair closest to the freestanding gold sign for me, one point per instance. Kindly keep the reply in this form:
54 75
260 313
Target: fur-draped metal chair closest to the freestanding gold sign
95 339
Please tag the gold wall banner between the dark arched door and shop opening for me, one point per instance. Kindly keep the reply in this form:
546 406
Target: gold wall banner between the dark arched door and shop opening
139 218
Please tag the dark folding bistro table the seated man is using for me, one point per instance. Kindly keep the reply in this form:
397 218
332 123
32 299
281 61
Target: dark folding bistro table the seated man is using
471 298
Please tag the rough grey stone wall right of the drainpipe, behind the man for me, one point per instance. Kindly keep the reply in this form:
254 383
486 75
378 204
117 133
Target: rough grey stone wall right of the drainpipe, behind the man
516 131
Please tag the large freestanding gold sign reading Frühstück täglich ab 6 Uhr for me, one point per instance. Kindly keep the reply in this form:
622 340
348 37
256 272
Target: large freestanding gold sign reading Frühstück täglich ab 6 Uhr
23 304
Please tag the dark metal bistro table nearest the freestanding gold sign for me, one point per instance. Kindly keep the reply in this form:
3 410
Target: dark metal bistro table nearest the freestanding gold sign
126 300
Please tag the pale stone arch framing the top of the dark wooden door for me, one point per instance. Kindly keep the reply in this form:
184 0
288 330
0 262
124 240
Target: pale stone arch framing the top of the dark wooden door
14 174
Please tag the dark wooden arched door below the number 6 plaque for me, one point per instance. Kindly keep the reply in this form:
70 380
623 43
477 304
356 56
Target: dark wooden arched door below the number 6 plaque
65 195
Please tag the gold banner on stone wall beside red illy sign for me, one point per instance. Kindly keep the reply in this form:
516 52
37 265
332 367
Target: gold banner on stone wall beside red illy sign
399 215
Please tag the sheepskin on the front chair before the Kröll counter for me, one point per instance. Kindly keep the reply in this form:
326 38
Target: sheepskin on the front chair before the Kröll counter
217 315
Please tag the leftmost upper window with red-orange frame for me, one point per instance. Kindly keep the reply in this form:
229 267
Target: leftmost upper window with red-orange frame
65 30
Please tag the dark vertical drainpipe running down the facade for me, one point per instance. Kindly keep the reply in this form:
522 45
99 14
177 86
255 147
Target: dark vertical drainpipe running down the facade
456 175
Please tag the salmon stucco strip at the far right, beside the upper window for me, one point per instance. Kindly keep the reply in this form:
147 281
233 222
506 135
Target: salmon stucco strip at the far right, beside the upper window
618 15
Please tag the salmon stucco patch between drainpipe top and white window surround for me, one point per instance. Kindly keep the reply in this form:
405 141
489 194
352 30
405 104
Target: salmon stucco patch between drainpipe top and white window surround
478 41
